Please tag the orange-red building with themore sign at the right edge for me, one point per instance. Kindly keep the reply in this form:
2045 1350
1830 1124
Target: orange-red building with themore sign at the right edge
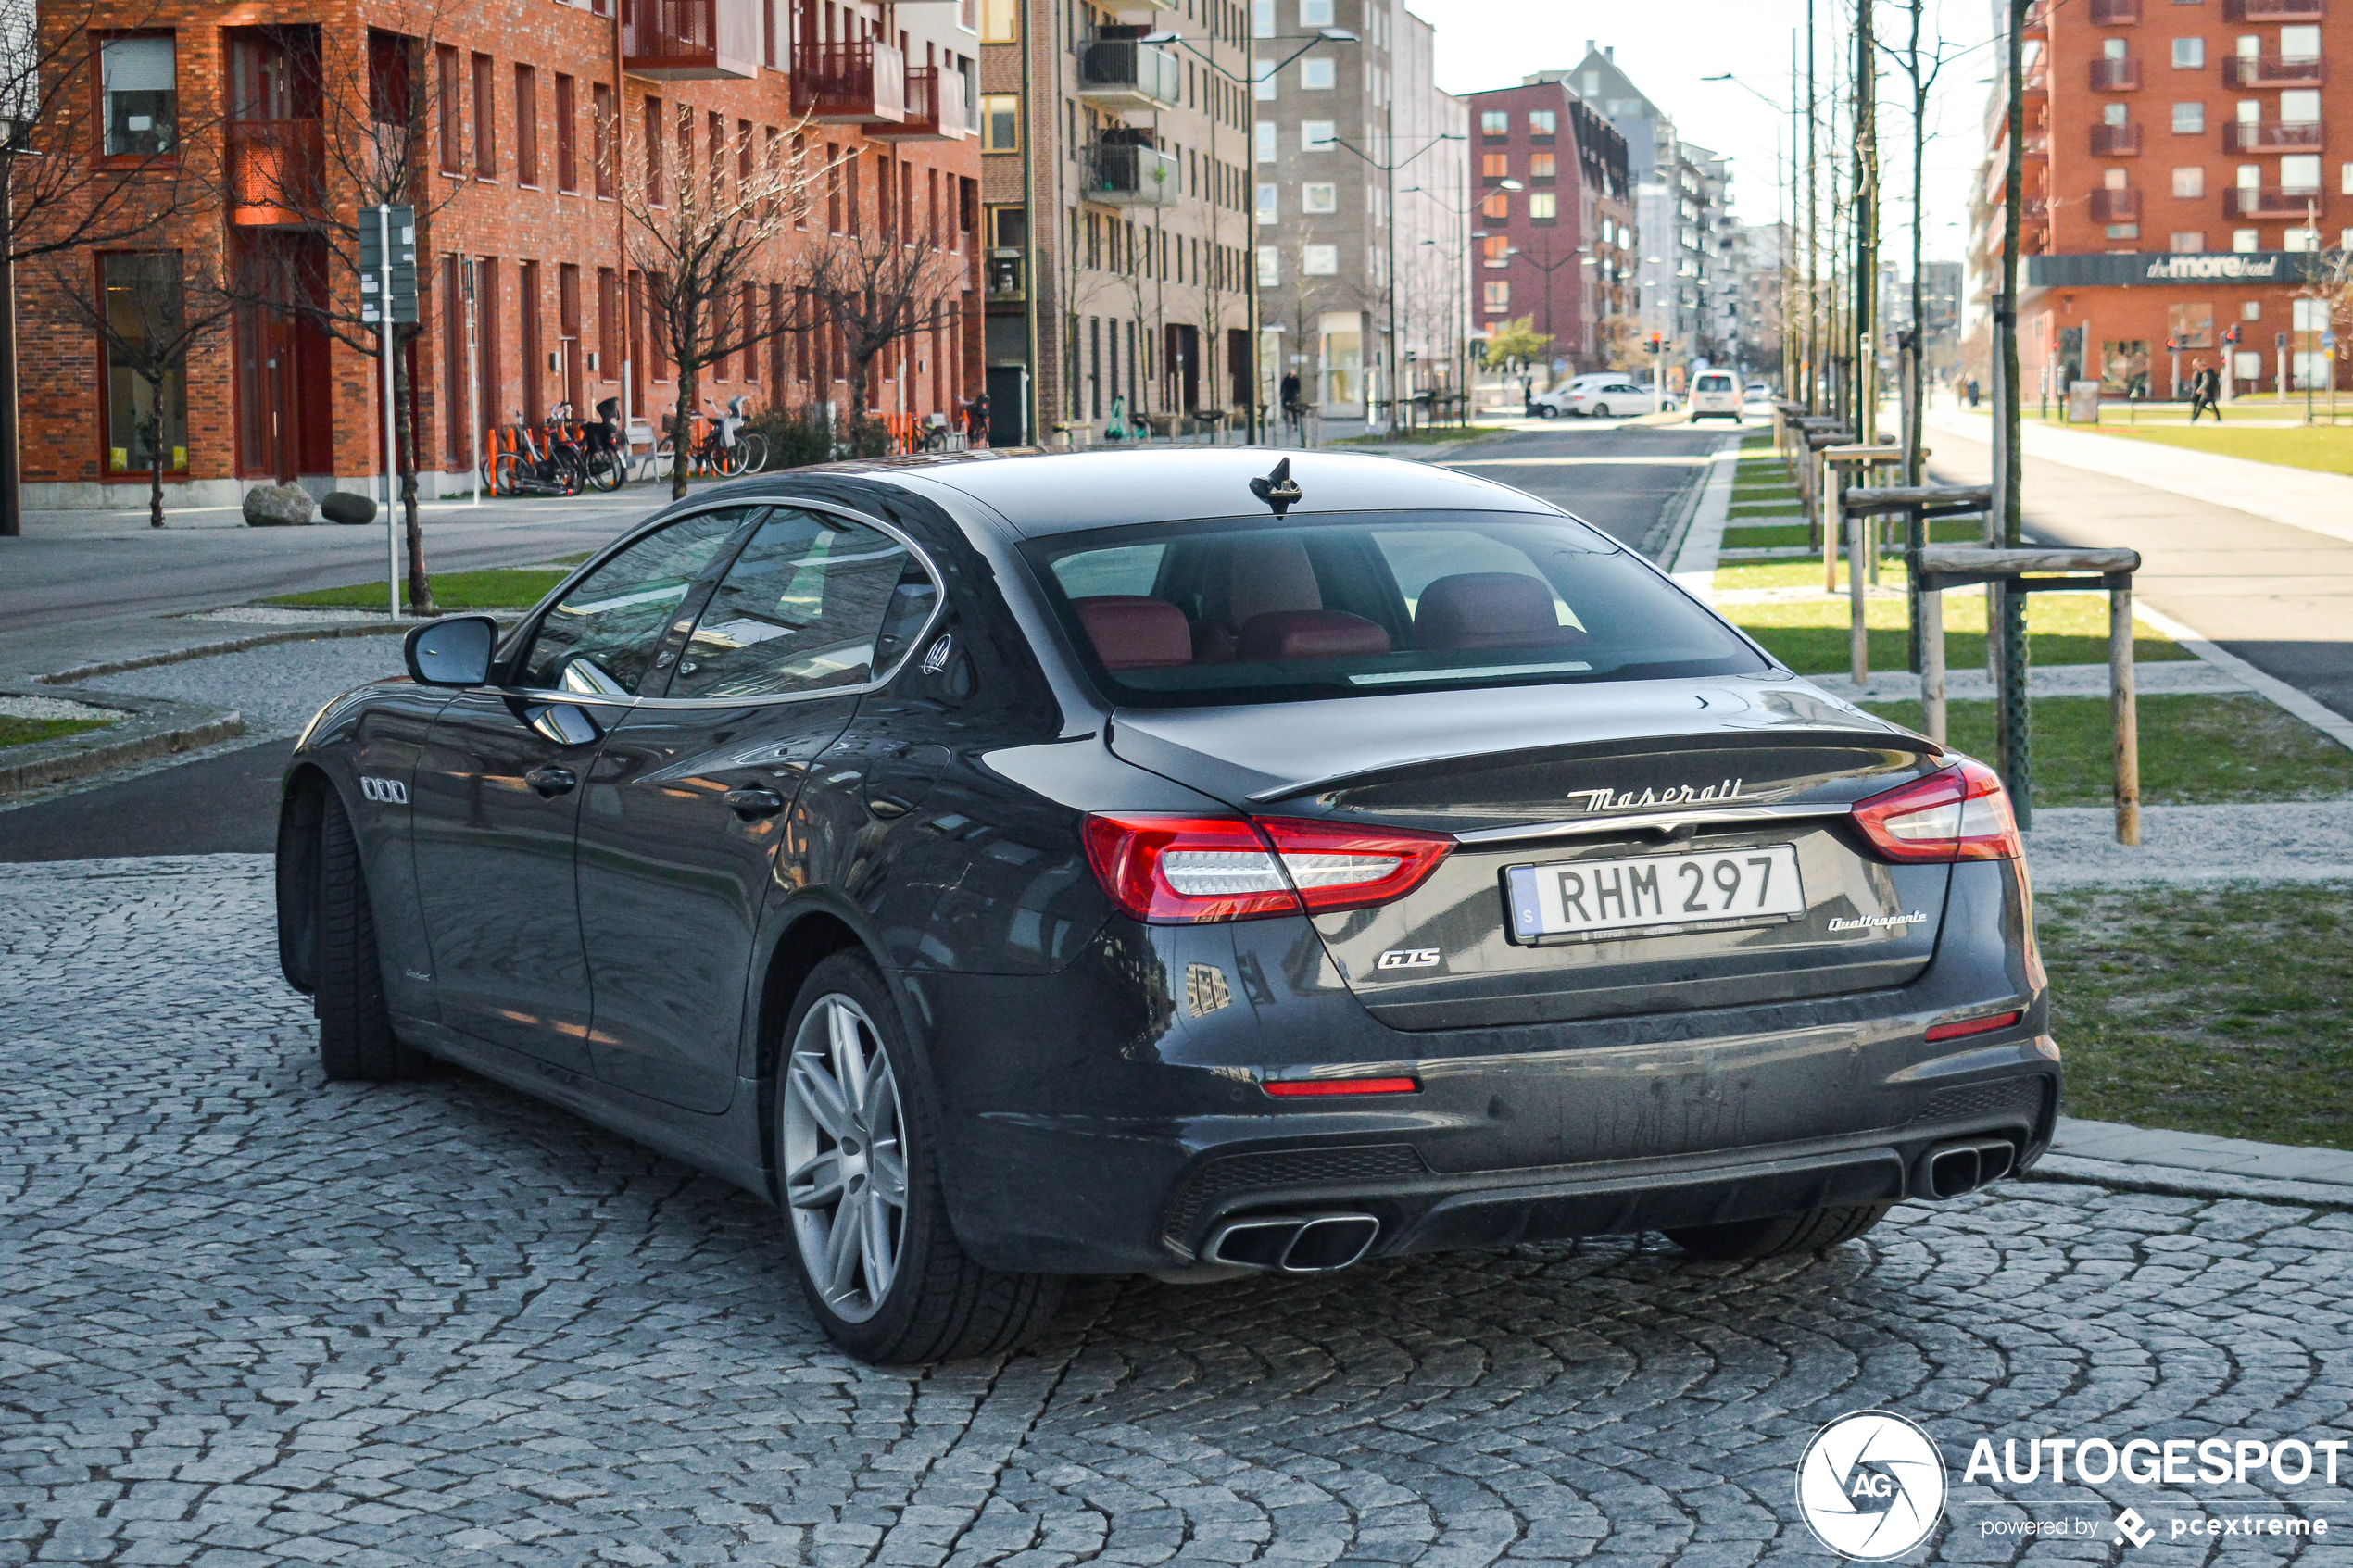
2178 180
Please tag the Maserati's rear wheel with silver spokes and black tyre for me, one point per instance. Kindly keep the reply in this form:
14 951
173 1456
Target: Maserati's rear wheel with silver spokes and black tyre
865 1209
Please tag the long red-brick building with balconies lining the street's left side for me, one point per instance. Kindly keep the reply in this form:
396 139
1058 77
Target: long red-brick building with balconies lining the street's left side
535 116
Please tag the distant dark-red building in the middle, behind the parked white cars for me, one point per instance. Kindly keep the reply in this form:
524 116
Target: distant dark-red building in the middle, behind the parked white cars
1557 227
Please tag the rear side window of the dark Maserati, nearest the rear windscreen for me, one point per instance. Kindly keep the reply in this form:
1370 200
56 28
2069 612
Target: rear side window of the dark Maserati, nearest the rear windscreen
813 603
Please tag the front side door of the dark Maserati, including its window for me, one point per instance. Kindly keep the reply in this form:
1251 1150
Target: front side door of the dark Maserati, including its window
495 796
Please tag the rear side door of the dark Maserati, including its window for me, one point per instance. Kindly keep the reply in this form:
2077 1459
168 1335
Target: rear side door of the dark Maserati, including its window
693 791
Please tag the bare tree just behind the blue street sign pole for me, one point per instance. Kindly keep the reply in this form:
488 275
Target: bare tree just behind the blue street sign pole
375 107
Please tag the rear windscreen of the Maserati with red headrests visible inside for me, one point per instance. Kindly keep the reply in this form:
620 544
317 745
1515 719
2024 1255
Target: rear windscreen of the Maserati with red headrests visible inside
1251 610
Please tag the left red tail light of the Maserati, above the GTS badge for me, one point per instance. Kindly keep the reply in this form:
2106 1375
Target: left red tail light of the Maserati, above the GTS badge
1201 869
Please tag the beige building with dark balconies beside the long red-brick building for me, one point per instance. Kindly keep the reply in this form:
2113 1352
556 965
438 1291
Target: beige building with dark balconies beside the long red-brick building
1114 185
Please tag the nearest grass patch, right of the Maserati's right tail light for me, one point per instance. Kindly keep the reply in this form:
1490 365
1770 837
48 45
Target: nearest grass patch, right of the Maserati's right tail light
2206 1010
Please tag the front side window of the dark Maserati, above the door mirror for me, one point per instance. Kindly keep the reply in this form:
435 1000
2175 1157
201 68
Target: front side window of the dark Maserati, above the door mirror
601 638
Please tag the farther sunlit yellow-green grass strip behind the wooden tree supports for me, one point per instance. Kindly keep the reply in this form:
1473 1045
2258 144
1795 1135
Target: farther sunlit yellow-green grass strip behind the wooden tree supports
1811 636
